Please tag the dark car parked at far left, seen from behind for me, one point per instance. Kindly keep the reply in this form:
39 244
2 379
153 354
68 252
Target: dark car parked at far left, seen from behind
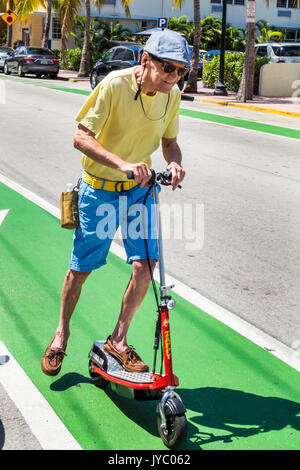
33 60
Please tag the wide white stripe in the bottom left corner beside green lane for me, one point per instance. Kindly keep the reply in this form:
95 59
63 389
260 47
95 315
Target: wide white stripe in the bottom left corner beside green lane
38 414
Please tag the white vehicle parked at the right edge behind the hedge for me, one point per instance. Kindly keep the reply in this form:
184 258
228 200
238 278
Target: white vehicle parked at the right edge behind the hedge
279 51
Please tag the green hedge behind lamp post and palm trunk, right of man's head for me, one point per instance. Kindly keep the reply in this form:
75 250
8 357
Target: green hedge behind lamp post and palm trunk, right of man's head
233 71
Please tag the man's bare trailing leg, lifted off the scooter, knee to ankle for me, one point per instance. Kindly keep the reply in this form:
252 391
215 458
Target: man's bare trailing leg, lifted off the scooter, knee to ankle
69 297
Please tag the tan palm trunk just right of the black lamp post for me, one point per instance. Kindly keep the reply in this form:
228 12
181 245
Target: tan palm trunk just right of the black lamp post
247 83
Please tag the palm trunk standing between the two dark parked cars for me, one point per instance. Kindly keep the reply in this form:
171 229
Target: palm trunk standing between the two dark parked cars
85 58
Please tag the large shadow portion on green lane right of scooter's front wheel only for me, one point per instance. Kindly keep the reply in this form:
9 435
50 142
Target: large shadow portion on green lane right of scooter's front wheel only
238 413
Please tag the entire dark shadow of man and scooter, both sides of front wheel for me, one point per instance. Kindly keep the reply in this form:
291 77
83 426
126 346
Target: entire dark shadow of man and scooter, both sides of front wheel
237 413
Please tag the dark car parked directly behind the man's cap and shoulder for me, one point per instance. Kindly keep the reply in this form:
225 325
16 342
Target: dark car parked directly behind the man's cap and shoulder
117 58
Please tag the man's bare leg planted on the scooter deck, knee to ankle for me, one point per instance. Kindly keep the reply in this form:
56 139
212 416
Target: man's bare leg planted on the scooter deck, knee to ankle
133 297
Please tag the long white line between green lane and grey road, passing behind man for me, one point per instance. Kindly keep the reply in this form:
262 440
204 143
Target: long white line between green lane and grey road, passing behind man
254 334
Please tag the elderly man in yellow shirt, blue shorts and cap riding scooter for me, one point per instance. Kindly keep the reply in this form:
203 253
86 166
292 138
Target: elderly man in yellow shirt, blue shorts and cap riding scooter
121 124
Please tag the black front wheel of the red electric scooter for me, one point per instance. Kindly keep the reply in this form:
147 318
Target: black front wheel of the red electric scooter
173 431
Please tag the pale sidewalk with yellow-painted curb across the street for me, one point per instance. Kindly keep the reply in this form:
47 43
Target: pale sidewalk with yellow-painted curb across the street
285 106
